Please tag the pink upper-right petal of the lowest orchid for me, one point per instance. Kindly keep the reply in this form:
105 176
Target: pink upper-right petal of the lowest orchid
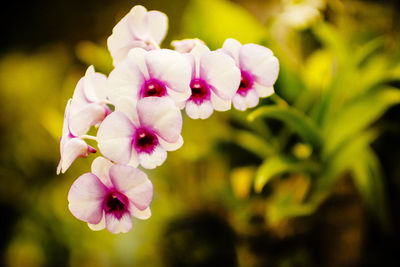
133 183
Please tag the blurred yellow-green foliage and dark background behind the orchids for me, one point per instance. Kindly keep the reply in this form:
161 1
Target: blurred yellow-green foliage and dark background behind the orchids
310 177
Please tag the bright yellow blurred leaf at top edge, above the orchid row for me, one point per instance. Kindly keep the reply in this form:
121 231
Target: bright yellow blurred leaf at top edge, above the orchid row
215 20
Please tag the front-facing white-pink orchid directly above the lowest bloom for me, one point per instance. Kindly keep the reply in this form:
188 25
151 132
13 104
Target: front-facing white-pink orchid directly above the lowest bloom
142 132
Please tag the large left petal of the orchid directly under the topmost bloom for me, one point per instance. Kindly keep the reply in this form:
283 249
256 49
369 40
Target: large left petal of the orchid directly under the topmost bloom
125 81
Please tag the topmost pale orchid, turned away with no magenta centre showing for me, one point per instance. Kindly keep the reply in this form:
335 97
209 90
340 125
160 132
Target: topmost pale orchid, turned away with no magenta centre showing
139 28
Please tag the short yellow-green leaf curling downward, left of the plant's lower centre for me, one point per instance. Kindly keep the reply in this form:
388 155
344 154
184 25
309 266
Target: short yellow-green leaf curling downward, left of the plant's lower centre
277 165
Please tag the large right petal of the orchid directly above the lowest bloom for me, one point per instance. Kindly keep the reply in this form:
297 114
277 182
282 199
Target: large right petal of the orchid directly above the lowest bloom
161 115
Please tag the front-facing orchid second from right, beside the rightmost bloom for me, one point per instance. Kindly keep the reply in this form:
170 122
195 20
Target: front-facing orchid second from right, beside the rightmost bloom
214 81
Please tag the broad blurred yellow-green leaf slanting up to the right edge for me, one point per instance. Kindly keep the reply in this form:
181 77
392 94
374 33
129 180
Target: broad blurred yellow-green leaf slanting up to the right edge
356 115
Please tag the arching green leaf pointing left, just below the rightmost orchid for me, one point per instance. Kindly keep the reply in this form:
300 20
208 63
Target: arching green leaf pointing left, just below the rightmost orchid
294 119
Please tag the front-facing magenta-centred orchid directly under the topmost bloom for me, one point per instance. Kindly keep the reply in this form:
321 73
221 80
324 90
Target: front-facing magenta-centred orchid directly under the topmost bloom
160 73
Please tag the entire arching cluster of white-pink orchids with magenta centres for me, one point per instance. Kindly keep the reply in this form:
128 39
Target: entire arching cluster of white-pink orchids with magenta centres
137 111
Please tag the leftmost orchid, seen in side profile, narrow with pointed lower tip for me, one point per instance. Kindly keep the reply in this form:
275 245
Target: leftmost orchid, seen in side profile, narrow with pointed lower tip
71 145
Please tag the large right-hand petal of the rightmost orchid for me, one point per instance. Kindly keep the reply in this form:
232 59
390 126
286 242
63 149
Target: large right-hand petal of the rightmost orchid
260 62
